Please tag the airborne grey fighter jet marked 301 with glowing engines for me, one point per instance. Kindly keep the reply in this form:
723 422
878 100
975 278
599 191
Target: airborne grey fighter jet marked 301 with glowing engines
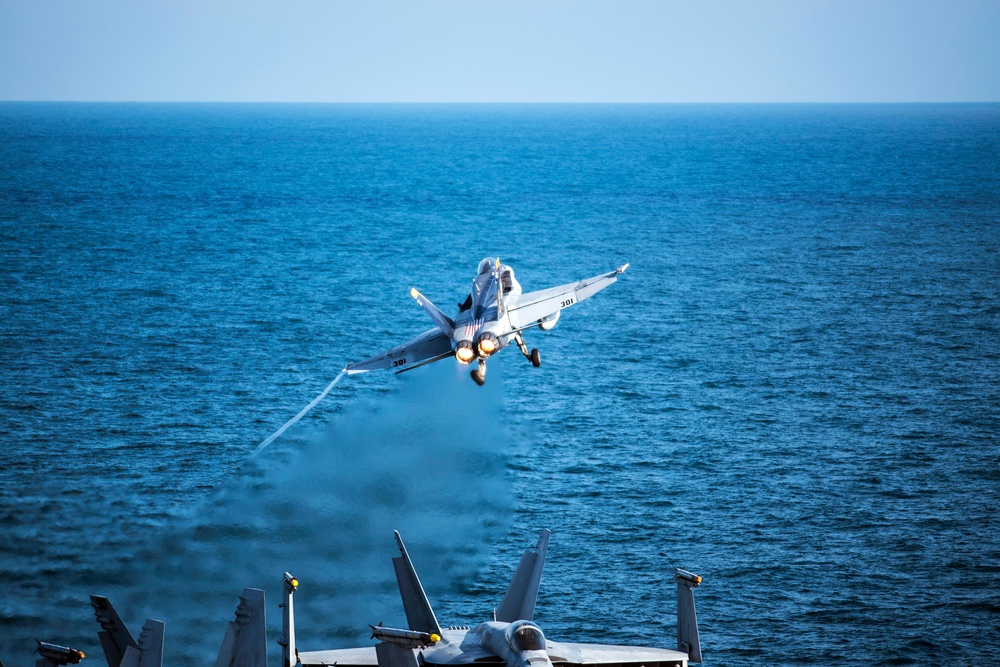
494 313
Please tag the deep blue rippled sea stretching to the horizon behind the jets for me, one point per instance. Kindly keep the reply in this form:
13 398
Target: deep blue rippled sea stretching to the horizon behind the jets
793 391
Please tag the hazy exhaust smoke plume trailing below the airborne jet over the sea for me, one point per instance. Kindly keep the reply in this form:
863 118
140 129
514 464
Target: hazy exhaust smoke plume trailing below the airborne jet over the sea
427 459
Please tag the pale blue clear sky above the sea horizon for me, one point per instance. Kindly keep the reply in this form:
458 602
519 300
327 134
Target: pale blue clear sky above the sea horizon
510 51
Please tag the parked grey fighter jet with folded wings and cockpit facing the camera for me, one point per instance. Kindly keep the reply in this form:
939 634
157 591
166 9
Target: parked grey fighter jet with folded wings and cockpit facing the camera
510 639
